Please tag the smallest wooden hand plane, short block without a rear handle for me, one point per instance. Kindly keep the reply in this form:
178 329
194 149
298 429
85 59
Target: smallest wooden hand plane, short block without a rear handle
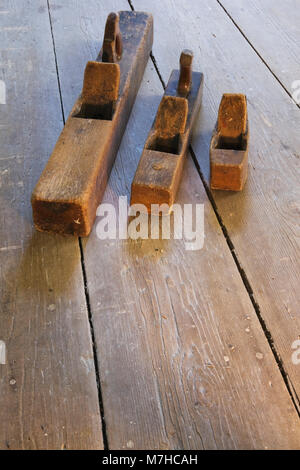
229 144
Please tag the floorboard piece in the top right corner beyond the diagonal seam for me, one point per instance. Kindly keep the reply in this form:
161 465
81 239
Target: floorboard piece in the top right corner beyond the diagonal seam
273 28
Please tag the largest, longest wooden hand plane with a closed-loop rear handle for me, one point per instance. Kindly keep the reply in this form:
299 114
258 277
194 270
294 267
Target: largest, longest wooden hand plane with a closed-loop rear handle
72 184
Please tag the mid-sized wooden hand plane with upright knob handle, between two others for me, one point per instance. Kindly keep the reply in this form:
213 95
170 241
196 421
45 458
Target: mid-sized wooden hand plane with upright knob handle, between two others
158 173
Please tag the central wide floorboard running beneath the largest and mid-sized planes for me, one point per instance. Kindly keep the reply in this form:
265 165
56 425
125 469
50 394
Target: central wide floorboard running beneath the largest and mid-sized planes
183 360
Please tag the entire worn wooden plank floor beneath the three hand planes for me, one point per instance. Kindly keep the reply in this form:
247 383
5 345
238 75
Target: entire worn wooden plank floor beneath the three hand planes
144 345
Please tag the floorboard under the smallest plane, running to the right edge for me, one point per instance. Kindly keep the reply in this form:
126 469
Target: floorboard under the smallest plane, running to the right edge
263 220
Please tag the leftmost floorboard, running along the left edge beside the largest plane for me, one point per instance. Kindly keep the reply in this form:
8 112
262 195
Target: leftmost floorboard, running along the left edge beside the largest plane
48 392
